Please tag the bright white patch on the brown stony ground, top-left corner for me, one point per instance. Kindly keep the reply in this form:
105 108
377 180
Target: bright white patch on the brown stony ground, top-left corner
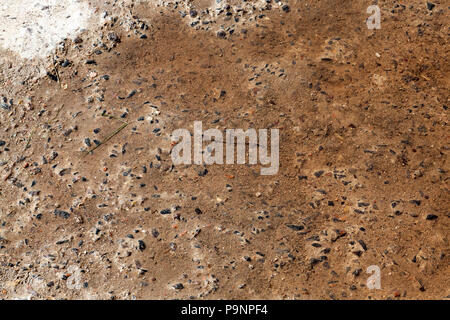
33 28
